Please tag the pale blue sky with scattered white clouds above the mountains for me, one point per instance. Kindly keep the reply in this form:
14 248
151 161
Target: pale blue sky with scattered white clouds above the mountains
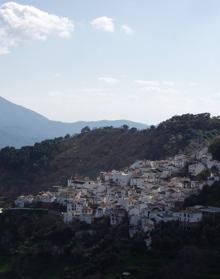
142 60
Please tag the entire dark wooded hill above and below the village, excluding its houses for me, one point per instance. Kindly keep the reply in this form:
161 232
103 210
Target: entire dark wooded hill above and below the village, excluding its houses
35 239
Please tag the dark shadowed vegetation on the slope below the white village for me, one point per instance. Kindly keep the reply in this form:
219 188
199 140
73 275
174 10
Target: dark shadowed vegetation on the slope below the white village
42 246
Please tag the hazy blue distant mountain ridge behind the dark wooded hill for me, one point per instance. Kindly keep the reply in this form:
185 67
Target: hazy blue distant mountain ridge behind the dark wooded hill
20 126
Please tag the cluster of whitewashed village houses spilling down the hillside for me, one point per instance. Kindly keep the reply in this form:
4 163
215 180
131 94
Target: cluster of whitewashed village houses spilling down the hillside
147 192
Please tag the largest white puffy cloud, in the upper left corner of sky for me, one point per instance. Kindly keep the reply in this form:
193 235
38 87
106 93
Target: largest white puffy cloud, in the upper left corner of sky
23 22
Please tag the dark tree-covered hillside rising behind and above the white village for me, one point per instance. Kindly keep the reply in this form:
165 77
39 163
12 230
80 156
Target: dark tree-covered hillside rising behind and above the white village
51 162
